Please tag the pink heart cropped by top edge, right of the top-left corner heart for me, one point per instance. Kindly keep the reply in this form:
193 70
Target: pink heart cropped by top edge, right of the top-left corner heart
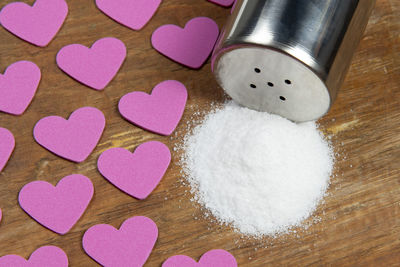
132 14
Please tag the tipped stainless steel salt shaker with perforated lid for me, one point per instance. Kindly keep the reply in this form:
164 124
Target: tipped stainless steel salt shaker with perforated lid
289 57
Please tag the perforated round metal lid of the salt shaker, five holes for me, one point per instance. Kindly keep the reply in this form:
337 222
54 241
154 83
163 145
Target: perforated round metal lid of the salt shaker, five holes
287 87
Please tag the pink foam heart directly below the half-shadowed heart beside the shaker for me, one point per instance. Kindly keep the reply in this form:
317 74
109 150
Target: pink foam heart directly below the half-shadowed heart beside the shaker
159 112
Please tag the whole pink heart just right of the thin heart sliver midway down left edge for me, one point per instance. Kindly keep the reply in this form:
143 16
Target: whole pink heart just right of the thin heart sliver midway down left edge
73 139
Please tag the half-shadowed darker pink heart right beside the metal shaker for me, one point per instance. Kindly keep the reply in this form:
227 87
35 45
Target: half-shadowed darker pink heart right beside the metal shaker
190 46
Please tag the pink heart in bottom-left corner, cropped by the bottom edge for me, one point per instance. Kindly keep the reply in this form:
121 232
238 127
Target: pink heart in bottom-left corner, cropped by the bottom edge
48 256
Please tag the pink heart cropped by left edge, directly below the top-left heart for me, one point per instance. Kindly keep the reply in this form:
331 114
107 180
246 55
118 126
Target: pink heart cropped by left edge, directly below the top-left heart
18 86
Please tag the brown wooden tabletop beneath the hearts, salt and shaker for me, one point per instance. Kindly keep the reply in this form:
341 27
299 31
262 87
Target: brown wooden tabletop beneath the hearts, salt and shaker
359 219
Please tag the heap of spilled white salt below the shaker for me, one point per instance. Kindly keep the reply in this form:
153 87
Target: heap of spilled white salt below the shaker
261 173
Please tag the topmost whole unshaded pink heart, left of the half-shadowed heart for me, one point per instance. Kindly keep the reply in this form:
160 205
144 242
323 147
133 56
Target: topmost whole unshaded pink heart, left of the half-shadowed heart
95 66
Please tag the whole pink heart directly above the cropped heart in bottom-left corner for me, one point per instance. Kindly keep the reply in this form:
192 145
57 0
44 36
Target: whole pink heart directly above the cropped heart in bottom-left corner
59 207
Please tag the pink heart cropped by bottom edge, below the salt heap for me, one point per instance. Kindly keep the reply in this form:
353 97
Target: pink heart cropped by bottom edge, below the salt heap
212 258
